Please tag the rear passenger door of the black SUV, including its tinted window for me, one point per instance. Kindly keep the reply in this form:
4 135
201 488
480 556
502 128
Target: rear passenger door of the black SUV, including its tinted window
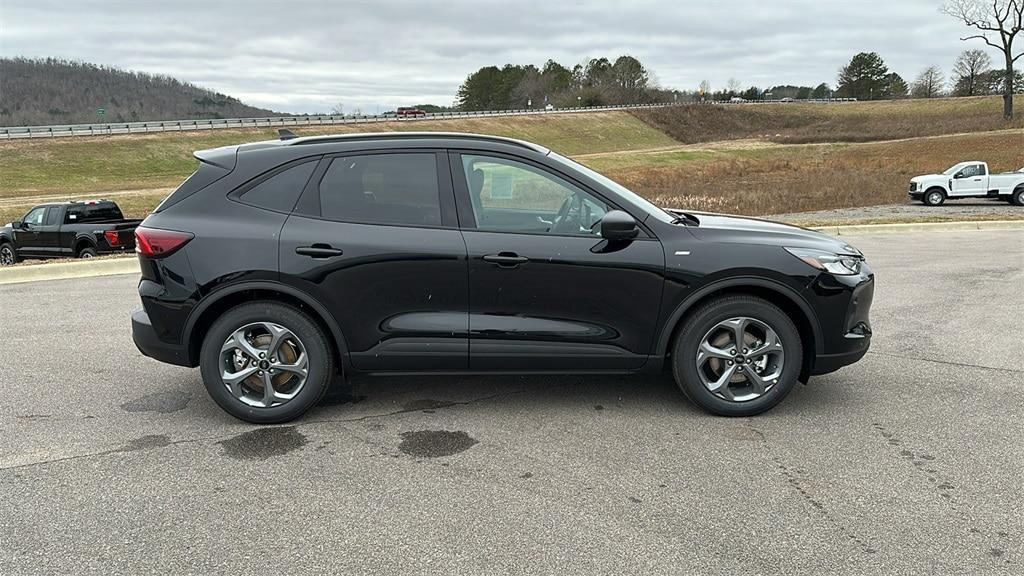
375 238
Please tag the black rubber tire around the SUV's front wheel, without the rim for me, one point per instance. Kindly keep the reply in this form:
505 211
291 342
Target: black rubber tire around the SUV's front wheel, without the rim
706 318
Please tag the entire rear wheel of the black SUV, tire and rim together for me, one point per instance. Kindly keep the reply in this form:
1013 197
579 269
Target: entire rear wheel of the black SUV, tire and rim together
252 405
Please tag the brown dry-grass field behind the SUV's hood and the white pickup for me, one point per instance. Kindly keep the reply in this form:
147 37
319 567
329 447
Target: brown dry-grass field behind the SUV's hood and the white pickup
793 179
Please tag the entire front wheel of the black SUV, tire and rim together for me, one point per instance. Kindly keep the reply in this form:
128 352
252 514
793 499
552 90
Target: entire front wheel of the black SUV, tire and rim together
706 323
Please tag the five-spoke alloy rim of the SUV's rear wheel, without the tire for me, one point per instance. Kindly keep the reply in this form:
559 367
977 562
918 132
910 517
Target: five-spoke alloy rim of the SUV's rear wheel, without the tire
264 365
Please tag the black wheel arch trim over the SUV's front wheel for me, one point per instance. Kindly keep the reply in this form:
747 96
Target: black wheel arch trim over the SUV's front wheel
780 295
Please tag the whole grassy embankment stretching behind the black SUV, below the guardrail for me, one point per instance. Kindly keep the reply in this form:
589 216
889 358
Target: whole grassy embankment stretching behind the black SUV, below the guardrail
749 160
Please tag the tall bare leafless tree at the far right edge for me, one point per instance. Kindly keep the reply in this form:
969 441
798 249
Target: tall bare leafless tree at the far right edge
1003 19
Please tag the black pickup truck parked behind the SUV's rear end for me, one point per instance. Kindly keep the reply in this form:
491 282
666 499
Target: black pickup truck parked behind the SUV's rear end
64 230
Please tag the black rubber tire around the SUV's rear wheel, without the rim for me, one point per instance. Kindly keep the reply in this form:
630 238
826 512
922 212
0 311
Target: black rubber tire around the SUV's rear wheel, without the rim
321 368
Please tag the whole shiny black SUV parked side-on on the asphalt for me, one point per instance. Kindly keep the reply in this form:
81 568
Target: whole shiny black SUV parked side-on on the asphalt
279 266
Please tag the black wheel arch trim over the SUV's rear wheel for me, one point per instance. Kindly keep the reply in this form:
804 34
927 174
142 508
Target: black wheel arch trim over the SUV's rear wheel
223 300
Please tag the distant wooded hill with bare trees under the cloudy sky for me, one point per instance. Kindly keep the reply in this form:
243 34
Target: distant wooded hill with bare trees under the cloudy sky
57 92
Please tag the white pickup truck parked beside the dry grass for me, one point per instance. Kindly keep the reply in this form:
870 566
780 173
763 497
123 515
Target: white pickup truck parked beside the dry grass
969 180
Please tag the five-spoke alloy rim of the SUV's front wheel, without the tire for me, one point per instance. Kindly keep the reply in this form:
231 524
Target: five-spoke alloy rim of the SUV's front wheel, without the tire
741 359
